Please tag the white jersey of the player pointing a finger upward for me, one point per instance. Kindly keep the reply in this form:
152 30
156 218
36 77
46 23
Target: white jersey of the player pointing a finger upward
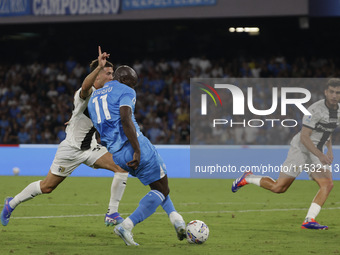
80 132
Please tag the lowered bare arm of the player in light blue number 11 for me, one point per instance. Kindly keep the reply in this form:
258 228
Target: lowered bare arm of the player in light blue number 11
130 132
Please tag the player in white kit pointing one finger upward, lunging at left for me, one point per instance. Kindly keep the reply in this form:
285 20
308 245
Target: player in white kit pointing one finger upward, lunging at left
80 146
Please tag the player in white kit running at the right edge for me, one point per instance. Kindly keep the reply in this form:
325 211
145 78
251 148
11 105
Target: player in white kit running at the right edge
307 153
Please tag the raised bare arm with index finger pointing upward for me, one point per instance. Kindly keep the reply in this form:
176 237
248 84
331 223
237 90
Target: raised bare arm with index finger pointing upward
86 87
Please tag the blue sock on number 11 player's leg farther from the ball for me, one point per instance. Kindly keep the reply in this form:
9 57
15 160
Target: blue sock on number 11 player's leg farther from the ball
147 206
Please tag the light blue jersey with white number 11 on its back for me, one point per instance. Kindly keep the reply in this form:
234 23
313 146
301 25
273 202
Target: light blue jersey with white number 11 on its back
104 108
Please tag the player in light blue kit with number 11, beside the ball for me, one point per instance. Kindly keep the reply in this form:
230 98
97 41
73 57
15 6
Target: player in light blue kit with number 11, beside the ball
111 110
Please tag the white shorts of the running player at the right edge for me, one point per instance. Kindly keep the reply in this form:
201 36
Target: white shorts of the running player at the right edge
298 160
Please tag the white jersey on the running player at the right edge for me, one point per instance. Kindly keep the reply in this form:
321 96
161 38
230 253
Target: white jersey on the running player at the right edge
323 122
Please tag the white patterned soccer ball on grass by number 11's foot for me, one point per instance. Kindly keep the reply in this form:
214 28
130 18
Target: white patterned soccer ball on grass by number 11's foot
197 232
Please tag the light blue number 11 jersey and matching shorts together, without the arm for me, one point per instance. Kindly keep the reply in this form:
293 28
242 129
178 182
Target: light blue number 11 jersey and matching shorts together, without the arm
104 111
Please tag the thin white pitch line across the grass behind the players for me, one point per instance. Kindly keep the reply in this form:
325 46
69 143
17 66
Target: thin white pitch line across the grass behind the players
192 212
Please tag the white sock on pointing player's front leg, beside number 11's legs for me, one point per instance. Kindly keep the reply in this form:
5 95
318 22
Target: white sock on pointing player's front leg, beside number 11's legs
117 191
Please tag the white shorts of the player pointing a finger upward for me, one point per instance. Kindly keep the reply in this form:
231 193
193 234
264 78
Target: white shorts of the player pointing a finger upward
69 158
